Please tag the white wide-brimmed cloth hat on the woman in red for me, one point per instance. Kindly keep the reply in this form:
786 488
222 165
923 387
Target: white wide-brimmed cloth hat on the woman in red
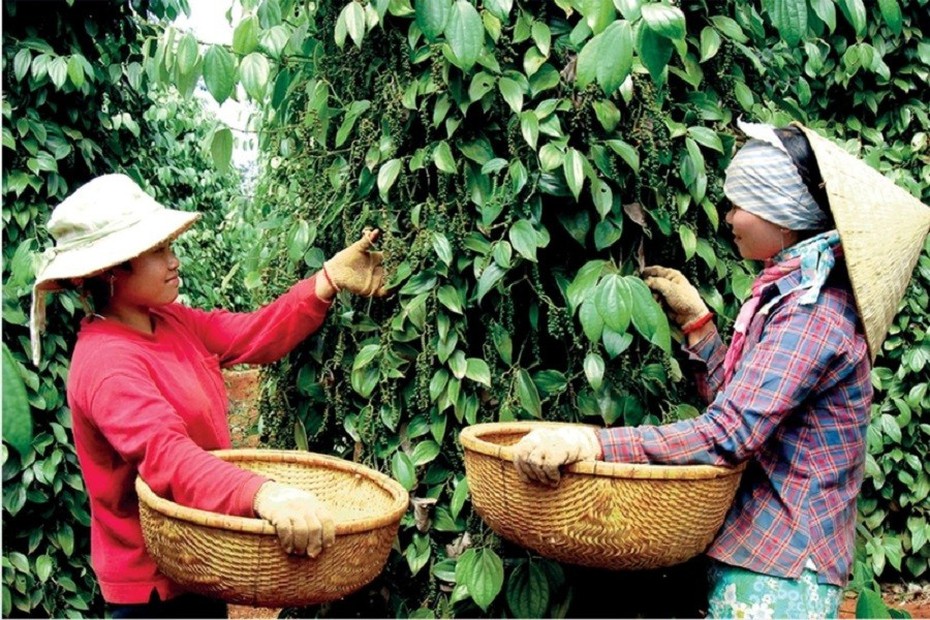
104 223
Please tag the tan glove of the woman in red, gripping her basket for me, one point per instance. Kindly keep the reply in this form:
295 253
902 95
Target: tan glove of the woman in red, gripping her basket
303 524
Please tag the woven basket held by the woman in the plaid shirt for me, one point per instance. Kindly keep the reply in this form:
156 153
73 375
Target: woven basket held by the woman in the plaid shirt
604 515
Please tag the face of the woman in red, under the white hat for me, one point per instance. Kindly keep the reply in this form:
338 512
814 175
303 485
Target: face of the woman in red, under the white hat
153 280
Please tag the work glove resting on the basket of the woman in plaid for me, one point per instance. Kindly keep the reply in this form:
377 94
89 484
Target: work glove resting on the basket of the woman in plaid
540 453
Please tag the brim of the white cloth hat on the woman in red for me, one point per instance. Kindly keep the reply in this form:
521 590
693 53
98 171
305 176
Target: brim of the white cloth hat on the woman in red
113 249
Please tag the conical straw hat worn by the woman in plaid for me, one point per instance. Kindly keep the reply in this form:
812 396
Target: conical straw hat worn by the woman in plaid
882 228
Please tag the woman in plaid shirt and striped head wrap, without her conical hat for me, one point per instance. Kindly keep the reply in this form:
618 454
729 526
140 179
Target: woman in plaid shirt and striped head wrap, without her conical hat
791 395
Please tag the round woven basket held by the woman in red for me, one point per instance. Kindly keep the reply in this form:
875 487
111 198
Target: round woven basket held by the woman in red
239 559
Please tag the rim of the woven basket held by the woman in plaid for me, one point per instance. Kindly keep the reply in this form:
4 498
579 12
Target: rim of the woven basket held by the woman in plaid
472 439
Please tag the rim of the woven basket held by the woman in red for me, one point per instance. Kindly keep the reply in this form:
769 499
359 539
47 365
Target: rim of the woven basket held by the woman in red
250 525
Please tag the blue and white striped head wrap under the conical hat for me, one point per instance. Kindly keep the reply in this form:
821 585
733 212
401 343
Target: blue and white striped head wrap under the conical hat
762 180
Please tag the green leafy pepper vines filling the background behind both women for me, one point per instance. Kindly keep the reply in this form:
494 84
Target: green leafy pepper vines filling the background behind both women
524 160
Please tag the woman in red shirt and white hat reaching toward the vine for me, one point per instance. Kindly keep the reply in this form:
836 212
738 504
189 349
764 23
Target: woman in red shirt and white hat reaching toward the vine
145 388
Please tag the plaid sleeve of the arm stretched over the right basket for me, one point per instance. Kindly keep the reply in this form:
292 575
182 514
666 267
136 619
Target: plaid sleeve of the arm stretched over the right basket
798 347
